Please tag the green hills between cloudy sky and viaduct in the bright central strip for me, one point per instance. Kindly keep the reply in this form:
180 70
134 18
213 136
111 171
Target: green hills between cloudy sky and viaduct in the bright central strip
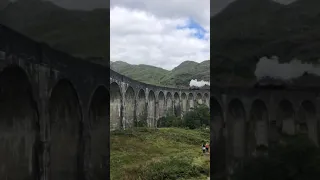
178 77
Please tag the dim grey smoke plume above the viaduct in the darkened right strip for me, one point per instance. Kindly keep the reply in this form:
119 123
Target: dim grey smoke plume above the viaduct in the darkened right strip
272 68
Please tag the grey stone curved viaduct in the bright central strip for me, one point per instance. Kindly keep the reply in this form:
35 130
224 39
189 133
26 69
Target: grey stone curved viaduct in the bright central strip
132 101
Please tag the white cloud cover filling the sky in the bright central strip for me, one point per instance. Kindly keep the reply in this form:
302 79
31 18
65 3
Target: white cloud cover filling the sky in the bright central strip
145 31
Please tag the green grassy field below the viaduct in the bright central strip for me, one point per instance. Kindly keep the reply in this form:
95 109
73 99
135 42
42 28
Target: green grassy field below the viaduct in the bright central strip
164 153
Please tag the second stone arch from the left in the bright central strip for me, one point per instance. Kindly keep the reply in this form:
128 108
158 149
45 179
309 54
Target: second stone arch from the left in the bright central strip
129 107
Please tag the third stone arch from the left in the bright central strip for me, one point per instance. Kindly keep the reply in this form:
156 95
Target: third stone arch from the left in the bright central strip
141 106
